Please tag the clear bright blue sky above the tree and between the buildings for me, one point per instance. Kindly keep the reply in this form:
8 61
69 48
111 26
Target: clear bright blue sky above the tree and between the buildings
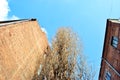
86 17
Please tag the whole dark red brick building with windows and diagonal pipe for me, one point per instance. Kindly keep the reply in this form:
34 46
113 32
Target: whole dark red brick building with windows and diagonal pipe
110 63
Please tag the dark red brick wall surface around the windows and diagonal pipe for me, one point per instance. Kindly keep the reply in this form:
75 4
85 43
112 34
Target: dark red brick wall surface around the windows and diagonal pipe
111 54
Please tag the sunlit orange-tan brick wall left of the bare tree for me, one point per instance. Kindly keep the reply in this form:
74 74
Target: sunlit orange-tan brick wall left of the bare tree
22 45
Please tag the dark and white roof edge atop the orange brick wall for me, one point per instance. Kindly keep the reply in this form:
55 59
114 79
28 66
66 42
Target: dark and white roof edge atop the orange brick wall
2 23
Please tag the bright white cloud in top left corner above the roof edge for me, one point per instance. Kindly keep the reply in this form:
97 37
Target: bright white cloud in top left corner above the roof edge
4 11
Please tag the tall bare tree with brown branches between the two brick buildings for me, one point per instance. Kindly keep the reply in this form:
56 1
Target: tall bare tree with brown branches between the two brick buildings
64 60
